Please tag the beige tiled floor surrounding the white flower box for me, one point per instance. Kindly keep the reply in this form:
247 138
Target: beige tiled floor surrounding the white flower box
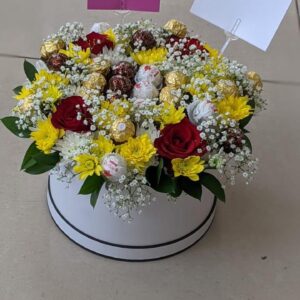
253 248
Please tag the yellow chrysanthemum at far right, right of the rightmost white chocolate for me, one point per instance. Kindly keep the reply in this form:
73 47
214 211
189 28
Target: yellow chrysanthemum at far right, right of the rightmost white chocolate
236 108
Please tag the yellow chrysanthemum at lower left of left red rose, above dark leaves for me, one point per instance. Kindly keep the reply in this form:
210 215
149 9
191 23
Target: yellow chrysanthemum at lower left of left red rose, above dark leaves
46 135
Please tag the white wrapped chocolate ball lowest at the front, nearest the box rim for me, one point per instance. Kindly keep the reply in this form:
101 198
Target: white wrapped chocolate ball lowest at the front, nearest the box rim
114 166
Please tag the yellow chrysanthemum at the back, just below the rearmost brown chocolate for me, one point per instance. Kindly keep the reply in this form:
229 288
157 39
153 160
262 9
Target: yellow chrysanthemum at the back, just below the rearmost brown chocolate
151 56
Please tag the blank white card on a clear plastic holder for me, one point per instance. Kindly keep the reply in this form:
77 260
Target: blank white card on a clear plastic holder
258 20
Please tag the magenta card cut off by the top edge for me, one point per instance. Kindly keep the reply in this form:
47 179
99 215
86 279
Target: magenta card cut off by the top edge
138 5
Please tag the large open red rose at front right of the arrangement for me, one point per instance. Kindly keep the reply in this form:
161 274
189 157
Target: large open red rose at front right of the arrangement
180 141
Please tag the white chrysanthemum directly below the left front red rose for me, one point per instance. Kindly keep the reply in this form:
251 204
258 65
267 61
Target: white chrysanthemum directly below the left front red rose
73 144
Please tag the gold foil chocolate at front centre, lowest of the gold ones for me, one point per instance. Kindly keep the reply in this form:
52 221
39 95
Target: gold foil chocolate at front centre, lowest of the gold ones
121 130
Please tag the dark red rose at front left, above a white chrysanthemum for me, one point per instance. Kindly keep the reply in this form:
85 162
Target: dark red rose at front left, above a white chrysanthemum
67 112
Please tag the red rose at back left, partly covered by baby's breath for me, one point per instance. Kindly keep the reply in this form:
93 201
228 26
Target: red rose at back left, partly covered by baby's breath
96 42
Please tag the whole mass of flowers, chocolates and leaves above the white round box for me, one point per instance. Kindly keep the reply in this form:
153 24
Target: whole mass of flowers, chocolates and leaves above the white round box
136 106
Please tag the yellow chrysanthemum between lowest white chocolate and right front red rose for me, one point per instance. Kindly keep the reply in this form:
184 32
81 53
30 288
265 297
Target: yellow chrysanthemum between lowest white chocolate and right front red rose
137 151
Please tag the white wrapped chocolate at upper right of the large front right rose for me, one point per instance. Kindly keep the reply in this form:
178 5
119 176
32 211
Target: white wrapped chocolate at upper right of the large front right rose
199 111
